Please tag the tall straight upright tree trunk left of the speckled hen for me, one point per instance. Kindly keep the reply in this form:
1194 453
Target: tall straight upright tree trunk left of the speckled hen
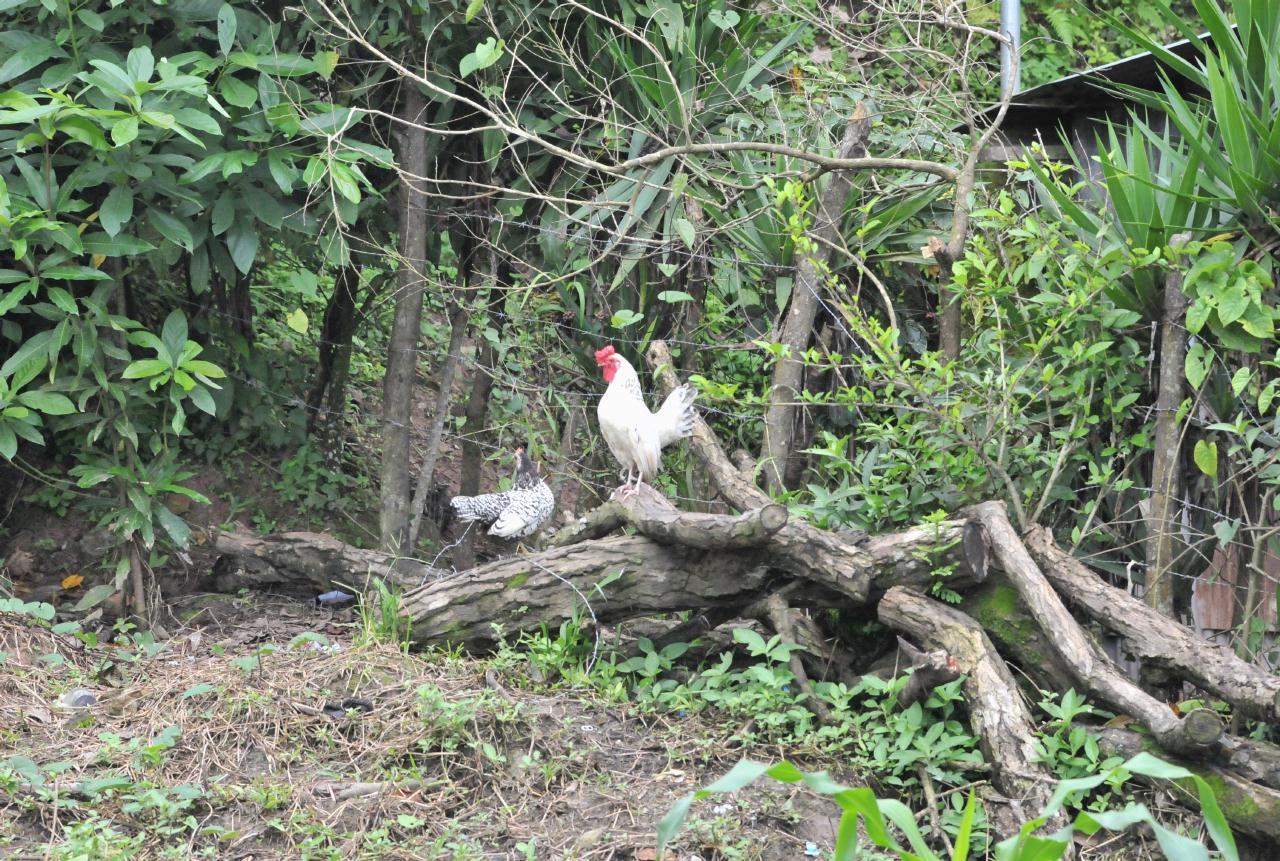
406 327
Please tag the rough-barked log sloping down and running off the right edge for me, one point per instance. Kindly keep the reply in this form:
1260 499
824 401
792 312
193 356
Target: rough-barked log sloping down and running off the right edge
1158 639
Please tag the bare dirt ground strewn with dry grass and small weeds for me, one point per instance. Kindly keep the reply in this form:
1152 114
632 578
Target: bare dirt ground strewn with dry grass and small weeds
217 744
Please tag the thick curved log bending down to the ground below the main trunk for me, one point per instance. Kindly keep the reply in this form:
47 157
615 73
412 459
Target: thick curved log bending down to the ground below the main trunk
996 712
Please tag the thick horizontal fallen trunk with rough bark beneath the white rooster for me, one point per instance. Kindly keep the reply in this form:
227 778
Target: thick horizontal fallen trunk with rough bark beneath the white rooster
726 562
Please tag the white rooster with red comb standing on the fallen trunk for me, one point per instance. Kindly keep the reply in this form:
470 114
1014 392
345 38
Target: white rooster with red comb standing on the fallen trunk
636 436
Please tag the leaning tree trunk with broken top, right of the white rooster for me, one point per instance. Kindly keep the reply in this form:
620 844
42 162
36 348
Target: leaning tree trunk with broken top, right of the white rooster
798 327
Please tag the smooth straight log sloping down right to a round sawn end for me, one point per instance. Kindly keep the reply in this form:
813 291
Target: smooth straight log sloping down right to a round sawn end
1192 735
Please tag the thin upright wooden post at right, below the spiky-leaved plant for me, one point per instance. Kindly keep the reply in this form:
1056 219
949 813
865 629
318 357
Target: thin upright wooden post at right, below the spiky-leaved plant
1165 460
